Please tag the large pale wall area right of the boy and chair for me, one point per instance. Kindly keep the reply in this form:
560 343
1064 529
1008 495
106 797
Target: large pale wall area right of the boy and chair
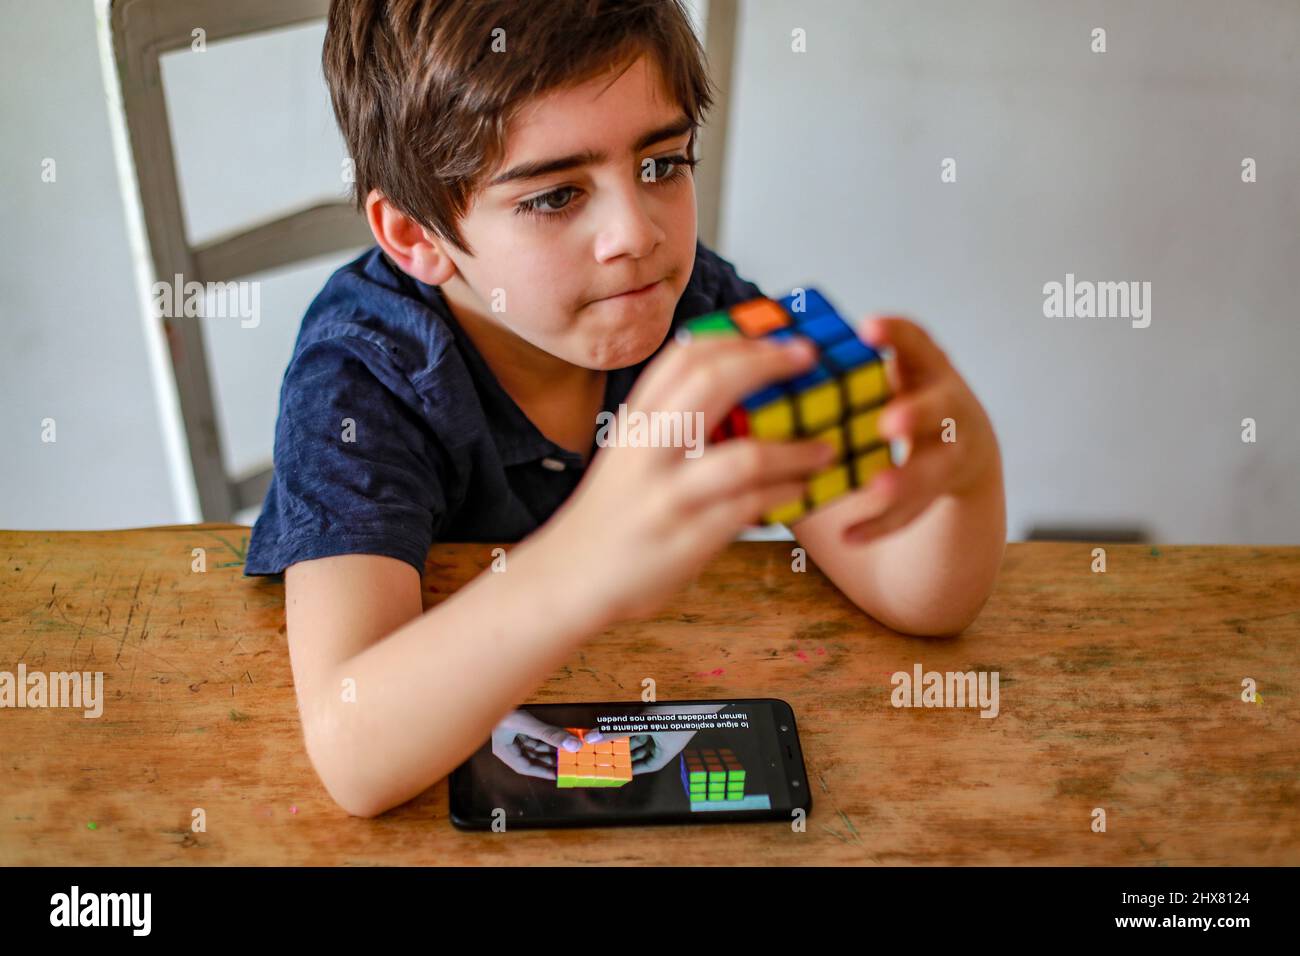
1124 166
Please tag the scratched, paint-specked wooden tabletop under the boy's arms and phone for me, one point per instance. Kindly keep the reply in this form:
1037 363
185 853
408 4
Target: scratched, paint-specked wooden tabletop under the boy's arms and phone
1119 690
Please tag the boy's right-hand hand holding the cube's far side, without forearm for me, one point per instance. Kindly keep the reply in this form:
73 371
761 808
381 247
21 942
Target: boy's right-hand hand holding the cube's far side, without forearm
926 392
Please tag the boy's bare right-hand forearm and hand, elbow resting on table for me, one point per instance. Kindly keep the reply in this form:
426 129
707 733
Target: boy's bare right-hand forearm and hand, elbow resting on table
921 550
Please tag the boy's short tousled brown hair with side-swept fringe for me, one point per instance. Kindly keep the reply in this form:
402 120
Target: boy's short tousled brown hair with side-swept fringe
424 98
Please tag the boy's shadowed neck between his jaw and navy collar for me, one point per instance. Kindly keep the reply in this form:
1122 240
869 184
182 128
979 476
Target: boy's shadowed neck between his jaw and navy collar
561 399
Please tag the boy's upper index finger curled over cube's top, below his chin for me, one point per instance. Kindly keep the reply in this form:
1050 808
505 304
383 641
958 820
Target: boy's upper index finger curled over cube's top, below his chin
712 375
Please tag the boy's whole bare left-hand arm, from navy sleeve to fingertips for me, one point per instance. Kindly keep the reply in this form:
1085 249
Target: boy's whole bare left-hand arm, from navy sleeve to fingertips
430 689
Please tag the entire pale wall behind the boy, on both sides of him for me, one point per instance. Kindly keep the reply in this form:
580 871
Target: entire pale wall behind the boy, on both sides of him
1115 167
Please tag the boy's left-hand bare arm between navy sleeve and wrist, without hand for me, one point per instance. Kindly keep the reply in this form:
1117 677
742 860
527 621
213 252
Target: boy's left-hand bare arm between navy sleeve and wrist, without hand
424 690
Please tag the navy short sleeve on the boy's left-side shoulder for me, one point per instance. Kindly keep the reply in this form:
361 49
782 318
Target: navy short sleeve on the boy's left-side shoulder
358 469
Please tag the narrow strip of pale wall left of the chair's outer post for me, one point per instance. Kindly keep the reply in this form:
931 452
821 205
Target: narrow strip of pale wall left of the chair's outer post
71 341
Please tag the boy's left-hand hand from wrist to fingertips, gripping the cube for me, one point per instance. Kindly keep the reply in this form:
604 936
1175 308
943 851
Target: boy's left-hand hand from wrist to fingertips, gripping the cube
645 521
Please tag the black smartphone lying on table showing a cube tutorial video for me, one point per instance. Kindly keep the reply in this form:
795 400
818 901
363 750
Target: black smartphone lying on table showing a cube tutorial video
619 764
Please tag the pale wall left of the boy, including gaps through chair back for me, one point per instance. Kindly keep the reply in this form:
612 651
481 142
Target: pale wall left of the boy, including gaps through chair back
254 137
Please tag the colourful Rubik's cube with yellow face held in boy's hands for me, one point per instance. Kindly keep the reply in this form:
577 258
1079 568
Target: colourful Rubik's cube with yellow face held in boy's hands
838 401
